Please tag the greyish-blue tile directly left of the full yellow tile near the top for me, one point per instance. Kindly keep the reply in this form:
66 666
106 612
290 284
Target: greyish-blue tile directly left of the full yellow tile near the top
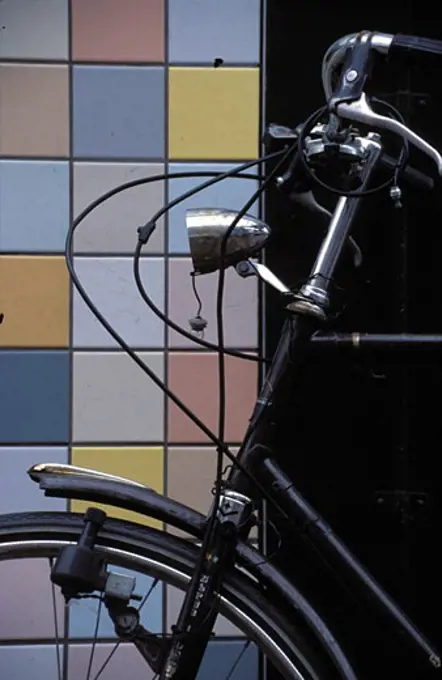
118 112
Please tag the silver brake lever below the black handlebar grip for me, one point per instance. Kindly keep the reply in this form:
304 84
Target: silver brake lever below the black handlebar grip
361 112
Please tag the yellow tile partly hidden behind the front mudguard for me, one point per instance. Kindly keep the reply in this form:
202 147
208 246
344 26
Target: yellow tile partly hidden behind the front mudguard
141 464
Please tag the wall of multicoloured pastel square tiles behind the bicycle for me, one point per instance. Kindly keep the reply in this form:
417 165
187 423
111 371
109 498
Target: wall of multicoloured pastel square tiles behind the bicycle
94 93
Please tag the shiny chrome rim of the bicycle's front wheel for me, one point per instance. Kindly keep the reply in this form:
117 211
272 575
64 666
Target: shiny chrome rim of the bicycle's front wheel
174 576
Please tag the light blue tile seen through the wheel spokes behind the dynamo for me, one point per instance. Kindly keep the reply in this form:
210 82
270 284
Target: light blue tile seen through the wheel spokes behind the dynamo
83 613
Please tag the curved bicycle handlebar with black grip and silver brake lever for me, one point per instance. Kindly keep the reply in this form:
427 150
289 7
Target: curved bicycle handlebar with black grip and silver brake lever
349 100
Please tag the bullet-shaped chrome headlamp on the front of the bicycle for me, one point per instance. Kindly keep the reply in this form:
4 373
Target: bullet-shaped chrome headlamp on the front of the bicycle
206 228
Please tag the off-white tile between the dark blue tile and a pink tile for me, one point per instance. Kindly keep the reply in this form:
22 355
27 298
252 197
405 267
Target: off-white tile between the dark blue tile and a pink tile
114 401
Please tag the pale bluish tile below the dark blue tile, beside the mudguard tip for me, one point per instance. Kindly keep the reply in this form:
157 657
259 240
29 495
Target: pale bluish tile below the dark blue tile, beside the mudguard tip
18 493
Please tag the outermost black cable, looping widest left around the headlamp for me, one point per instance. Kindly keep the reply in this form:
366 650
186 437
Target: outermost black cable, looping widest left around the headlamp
69 255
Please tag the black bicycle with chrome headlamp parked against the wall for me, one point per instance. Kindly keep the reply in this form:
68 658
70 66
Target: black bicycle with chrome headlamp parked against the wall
220 572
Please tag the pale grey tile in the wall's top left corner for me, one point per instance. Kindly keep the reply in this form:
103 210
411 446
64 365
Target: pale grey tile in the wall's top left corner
34 30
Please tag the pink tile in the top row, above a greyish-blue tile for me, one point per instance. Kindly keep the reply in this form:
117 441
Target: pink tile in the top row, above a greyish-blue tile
112 30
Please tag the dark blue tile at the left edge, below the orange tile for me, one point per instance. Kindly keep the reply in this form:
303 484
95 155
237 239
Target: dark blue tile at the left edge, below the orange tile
34 397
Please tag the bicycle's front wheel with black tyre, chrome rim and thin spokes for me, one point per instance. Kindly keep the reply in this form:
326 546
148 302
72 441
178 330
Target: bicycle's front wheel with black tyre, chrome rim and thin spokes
41 636
